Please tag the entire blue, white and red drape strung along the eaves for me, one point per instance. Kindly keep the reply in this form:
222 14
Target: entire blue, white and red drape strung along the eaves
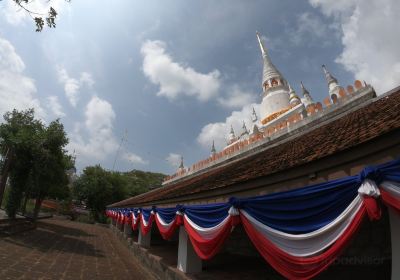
299 232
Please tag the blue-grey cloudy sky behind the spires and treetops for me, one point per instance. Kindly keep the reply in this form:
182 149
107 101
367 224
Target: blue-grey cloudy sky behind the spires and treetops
169 77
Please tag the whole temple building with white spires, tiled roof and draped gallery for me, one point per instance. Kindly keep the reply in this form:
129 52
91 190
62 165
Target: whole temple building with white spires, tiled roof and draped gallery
289 193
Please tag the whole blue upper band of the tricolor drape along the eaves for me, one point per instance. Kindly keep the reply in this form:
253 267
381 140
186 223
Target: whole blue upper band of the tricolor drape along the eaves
297 211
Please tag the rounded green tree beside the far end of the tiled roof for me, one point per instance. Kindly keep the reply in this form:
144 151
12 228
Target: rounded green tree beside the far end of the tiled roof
98 188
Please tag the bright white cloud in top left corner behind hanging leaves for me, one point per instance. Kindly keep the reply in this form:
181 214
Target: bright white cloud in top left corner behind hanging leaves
15 15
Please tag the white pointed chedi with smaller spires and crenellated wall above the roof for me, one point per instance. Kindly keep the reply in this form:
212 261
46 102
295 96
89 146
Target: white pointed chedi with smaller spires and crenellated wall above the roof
281 111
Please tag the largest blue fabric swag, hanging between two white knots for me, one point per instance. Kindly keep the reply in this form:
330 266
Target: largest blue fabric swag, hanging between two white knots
302 210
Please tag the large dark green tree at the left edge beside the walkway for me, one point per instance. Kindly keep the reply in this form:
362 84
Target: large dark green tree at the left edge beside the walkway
39 161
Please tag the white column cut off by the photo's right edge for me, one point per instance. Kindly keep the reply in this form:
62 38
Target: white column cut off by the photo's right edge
395 234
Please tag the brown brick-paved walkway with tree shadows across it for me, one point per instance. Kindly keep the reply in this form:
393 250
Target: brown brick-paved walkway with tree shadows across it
61 249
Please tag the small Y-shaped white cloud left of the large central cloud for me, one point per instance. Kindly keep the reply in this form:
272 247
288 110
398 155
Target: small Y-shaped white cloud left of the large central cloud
72 85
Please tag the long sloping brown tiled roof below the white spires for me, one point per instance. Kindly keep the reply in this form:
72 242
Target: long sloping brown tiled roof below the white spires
356 127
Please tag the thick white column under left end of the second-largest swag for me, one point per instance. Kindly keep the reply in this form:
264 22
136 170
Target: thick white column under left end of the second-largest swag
188 261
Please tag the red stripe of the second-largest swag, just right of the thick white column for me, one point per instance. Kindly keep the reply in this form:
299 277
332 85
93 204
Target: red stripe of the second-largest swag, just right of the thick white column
206 249
